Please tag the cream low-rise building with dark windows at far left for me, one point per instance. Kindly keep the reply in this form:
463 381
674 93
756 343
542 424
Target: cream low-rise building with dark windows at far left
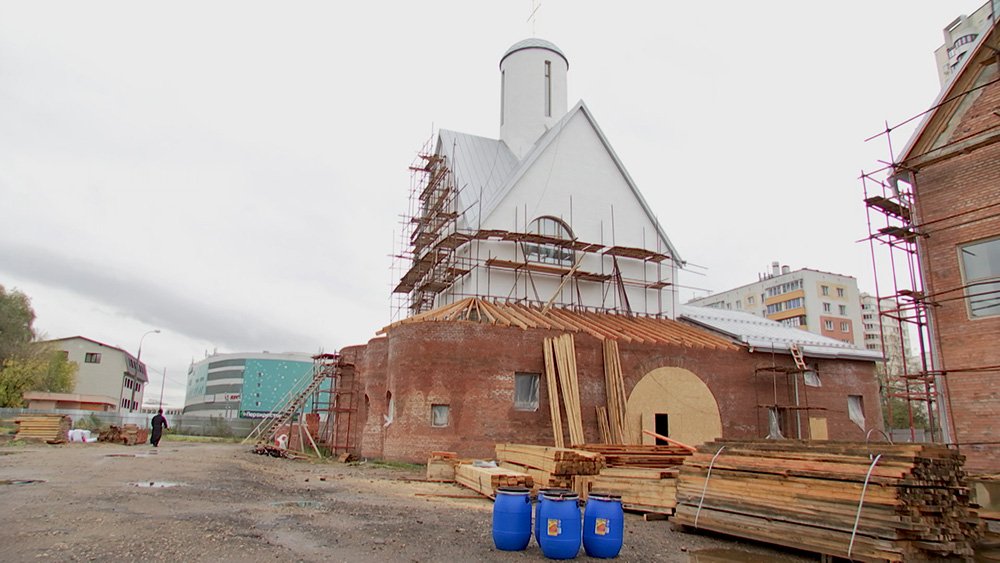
105 371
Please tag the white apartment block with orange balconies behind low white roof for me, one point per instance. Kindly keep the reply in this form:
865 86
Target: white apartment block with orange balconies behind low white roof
819 302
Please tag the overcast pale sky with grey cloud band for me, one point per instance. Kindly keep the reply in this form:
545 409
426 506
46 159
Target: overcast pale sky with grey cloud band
233 173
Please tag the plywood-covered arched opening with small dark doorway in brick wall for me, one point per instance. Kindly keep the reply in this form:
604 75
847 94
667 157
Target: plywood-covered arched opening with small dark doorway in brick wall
674 402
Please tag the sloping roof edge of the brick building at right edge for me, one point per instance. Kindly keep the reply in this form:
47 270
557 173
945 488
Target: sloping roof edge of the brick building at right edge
949 101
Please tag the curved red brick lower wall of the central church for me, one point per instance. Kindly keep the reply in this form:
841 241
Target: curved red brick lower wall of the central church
471 368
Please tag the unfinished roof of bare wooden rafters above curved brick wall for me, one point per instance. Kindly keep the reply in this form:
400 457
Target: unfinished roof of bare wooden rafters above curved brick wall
603 326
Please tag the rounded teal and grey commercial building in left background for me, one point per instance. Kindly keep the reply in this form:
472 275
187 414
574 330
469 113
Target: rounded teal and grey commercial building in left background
244 385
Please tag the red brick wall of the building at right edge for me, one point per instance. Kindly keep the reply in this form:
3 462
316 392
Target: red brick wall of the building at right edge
964 184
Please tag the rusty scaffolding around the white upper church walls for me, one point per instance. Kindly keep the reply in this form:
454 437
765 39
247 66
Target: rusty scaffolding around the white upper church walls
434 253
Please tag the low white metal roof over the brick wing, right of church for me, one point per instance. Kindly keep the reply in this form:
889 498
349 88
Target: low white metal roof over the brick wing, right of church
767 335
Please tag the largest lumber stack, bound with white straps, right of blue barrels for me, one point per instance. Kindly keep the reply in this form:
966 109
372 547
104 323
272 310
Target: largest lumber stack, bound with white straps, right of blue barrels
806 495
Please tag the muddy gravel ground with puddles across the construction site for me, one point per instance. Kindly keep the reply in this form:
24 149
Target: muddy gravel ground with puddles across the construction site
214 502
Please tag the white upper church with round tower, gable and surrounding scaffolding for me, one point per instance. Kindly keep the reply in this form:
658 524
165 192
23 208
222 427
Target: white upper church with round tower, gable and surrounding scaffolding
545 215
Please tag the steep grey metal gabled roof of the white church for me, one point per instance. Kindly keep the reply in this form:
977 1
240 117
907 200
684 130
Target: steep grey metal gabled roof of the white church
486 172
